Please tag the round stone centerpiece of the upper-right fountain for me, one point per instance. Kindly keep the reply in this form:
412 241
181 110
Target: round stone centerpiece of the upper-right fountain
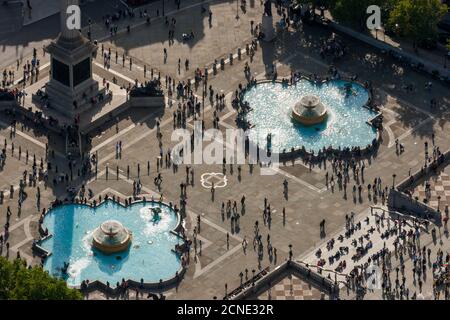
309 111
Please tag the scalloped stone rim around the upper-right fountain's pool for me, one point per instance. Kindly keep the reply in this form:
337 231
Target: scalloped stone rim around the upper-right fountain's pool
332 149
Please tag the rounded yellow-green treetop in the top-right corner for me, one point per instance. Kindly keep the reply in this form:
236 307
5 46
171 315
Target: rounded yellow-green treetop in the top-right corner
417 19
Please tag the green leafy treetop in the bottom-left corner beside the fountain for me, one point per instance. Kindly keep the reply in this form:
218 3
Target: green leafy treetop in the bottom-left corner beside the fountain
17 282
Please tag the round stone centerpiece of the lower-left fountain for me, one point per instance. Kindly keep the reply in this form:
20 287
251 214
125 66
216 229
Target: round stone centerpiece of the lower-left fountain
111 237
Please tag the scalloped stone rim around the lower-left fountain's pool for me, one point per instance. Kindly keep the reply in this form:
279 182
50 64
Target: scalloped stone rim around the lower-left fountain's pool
165 282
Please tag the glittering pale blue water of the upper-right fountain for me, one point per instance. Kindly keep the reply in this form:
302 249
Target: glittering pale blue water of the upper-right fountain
346 125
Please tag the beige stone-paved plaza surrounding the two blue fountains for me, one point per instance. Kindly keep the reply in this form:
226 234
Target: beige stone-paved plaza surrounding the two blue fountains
214 270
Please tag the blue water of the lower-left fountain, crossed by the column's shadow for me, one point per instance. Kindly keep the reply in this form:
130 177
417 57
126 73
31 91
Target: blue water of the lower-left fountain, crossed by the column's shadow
149 256
